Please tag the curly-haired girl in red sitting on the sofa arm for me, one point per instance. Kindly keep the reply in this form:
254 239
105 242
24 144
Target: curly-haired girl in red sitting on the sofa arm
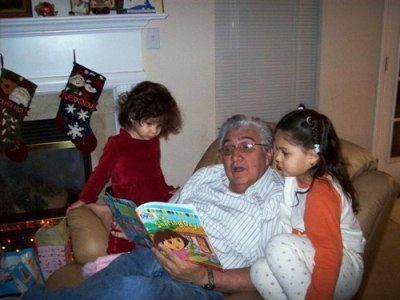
132 158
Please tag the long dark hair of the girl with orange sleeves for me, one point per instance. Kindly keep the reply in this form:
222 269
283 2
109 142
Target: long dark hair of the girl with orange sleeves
307 128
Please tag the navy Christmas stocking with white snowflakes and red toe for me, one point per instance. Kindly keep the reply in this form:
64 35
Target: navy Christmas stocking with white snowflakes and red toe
78 101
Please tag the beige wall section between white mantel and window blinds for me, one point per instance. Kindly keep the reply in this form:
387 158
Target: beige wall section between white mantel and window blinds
185 64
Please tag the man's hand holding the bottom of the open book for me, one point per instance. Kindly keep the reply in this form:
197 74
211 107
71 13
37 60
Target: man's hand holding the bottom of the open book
179 269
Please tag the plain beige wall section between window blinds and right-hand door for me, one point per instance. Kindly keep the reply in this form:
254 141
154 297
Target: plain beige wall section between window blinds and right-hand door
349 62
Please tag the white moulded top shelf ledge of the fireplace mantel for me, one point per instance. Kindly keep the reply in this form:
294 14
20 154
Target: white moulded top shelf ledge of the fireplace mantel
42 26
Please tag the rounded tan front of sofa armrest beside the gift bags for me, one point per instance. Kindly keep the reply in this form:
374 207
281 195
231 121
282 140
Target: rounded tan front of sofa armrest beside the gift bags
89 237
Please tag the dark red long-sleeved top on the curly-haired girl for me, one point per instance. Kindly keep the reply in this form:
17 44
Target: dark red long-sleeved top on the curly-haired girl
134 168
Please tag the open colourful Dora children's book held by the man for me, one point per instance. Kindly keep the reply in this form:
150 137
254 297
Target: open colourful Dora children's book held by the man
177 226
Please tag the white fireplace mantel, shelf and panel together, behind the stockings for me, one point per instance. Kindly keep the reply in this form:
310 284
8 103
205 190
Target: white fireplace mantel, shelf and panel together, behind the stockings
42 49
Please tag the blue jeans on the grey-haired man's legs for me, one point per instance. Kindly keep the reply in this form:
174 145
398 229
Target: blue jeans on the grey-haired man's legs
134 275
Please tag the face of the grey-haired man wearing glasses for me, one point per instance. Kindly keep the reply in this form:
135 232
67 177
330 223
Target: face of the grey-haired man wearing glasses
244 168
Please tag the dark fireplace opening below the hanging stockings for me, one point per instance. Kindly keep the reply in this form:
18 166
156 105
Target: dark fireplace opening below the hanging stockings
39 189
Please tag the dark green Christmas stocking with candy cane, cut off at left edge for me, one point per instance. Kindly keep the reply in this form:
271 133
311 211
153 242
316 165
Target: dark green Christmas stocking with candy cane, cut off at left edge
16 94
